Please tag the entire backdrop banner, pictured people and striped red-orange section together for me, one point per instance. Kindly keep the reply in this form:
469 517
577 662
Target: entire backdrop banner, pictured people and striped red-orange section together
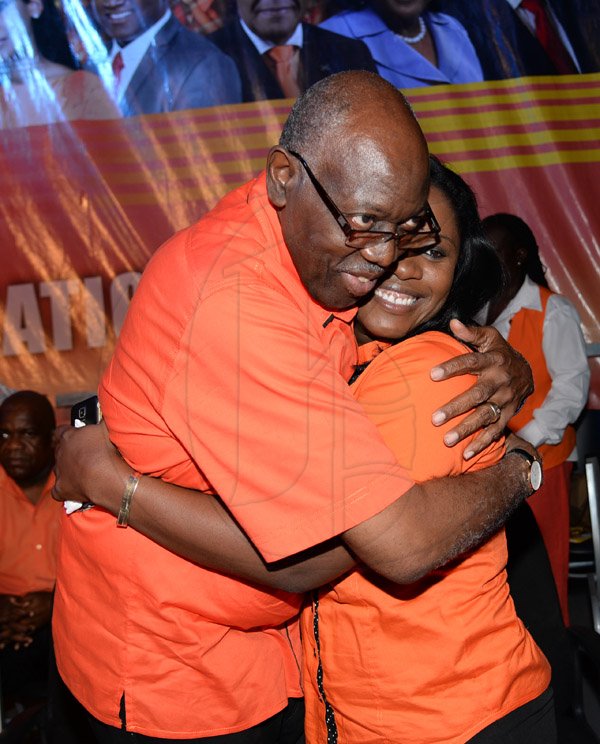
124 121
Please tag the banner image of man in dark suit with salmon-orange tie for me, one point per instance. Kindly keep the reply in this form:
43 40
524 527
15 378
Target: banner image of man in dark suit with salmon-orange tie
280 57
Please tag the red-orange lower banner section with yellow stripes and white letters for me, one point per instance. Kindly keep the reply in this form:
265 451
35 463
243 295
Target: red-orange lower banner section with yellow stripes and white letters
84 204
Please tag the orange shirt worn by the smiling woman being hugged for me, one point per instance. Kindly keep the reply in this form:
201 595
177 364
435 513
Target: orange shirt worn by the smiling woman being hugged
438 660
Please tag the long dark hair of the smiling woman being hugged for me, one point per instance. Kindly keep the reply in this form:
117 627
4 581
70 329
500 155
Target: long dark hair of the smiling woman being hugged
478 276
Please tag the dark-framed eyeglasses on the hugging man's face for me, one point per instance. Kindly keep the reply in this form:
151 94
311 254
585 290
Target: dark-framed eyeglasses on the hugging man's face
415 233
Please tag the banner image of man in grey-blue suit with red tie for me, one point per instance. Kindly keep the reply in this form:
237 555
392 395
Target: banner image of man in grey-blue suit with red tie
158 64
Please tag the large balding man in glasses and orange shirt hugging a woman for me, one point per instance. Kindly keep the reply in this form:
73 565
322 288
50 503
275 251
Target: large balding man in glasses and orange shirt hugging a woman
230 376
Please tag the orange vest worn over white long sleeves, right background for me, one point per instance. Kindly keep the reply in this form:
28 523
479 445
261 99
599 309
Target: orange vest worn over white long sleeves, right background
526 333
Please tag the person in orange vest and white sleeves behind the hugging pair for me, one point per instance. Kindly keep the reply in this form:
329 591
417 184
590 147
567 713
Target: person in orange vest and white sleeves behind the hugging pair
545 328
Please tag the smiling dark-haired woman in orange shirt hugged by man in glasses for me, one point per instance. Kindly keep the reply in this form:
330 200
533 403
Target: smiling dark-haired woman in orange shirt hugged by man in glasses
444 659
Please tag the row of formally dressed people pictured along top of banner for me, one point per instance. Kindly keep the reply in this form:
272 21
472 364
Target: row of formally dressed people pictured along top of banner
95 59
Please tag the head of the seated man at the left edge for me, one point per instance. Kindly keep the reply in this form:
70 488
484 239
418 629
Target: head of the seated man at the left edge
27 423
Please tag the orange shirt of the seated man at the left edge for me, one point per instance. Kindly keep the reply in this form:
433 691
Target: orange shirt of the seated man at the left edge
28 539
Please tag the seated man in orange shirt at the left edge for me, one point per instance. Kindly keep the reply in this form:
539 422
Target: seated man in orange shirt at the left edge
29 520
